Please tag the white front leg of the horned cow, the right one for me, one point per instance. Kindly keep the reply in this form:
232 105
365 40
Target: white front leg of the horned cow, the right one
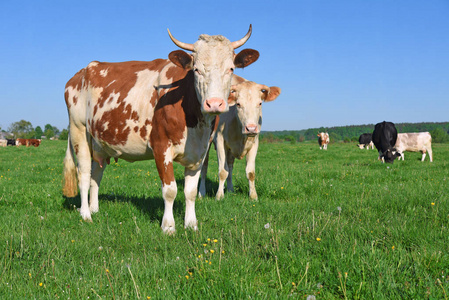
190 190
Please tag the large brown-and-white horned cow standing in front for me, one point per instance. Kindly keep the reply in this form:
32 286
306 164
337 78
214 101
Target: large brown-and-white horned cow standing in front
163 109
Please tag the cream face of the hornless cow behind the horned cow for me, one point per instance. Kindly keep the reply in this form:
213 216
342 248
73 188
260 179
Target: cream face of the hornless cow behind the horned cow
247 97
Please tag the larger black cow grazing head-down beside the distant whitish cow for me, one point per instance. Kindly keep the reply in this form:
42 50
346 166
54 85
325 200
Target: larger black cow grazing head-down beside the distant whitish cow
384 138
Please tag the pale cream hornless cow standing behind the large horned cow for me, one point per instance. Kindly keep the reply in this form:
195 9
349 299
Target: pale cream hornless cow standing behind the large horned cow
237 135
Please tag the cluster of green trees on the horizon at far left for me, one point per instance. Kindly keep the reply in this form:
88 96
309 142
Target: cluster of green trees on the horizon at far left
25 130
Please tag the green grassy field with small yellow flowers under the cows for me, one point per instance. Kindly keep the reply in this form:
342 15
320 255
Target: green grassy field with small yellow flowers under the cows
335 224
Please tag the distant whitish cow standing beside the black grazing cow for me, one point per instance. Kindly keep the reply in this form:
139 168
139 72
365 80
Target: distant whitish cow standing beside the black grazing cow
414 142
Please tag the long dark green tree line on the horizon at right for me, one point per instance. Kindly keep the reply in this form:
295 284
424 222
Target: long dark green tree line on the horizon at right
351 133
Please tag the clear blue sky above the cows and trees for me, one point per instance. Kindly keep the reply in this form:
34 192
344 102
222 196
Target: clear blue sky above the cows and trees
337 62
